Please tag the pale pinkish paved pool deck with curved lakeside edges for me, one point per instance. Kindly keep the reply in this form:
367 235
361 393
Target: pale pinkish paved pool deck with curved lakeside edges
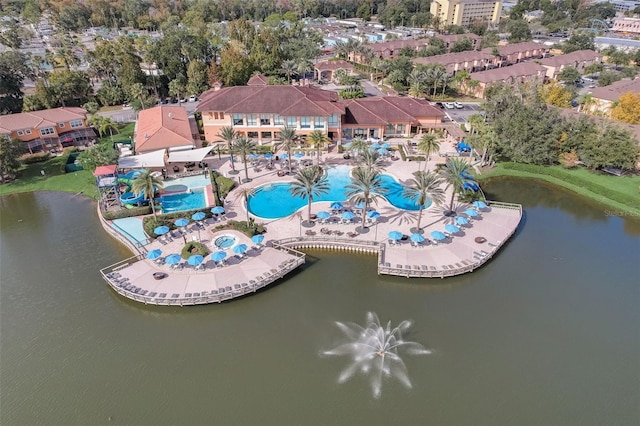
458 254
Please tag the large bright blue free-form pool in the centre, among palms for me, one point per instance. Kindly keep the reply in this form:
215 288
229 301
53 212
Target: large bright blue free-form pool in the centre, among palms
273 201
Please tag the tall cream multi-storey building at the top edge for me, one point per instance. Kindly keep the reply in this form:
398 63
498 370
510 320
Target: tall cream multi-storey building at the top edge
466 12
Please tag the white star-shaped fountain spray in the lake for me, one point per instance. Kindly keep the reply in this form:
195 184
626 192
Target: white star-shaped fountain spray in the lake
374 351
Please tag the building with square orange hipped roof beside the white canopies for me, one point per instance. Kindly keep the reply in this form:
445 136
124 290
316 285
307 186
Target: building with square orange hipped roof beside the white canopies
164 127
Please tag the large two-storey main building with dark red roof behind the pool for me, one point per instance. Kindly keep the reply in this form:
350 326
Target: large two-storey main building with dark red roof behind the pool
260 112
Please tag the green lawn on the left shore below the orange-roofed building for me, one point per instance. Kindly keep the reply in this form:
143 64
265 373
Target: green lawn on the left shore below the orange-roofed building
55 179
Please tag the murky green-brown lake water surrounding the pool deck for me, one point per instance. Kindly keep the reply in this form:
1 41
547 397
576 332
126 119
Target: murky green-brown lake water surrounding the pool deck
546 333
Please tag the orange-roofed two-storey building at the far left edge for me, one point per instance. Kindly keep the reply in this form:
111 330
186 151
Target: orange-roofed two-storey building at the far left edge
49 129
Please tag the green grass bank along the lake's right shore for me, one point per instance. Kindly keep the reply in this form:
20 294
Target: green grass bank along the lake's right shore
620 193
